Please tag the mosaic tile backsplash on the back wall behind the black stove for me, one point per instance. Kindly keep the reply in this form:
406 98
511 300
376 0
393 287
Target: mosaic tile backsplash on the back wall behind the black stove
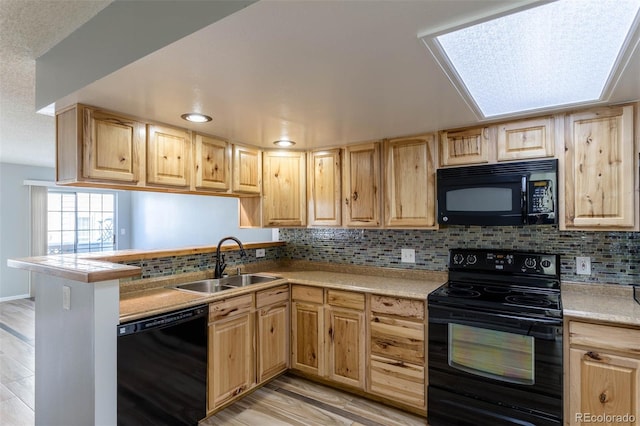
615 256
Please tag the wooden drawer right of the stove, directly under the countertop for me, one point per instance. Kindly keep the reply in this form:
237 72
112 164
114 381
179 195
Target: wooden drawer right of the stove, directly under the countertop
605 336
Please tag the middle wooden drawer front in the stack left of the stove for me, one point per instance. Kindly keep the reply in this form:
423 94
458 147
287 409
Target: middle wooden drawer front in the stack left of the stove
398 339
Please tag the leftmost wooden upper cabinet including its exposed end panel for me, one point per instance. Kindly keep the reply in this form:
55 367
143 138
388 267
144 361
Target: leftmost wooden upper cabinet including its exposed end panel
94 145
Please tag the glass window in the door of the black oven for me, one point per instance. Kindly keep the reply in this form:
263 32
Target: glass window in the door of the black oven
489 353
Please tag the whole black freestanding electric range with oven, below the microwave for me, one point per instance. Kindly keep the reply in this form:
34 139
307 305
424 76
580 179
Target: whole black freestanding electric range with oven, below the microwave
495 341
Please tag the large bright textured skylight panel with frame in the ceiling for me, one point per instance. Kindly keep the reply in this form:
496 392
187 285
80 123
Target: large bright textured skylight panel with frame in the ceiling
561 53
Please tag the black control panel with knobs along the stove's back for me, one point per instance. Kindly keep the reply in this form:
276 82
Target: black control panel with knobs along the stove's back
504 260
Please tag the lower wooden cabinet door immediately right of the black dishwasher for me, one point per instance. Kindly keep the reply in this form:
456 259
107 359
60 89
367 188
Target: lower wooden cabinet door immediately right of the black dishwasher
231 359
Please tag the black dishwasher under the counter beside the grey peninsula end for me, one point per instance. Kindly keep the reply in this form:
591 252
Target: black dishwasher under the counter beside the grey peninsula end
162 369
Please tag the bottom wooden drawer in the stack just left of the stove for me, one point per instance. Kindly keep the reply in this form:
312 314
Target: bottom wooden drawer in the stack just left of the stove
398 381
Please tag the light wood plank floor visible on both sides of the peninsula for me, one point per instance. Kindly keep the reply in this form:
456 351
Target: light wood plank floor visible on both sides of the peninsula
287 400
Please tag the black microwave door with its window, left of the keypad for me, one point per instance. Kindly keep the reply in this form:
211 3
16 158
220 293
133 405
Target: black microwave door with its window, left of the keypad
481 200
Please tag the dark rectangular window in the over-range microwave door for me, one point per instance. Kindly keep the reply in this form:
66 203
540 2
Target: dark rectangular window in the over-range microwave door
483 199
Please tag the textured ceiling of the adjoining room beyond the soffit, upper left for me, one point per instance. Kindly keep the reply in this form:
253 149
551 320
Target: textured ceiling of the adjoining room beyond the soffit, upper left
29 28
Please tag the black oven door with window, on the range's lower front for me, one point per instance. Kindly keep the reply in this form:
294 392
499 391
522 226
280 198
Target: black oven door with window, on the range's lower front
493 369
